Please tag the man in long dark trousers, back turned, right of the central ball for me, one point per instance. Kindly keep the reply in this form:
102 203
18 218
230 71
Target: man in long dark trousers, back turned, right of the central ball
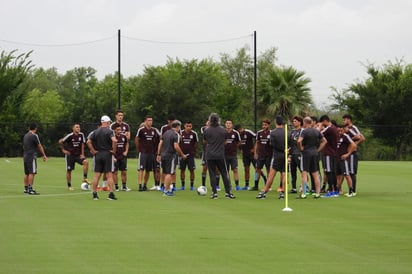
214 138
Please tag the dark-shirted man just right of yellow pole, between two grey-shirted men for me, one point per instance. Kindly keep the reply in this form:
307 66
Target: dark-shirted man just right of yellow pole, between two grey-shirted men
294 153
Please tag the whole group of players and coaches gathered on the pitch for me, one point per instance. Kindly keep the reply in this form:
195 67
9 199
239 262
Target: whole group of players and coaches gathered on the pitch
308 141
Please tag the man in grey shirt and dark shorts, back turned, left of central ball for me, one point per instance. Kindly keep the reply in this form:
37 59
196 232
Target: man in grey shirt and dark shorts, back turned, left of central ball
166 155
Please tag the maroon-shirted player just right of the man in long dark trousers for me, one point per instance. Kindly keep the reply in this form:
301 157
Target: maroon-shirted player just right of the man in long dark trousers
231 146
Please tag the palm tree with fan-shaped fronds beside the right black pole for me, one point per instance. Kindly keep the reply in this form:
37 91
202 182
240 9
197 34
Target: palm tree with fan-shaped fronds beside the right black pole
283 91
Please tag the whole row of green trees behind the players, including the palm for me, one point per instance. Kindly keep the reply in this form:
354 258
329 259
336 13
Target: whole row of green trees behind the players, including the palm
191 90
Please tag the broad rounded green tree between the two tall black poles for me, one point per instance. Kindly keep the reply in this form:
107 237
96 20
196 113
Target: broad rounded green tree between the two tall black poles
189 89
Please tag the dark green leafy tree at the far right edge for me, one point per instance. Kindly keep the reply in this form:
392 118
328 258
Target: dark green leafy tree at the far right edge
383 101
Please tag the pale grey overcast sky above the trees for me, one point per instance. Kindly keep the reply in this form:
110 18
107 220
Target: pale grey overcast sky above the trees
328 40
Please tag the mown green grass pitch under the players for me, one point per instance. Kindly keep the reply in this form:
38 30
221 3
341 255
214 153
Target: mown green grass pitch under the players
62 232
